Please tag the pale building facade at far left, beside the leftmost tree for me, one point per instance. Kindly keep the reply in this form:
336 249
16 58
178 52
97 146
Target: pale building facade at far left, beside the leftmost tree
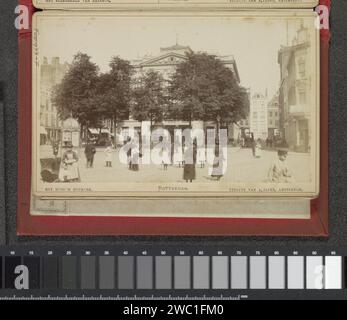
51 75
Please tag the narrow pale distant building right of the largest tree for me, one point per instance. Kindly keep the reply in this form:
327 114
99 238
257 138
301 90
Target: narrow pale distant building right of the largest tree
259 116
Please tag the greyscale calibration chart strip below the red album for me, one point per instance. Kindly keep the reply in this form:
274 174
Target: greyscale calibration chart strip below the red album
147 272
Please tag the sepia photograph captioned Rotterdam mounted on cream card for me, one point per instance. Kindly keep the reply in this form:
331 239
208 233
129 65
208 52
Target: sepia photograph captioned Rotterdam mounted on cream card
175 104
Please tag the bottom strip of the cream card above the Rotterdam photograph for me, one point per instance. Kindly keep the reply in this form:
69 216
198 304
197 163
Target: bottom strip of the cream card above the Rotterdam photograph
181 4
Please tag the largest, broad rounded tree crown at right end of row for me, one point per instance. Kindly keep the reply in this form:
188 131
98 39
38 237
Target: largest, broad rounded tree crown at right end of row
203 88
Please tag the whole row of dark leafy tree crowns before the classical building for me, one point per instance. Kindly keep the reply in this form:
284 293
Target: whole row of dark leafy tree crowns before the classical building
201 88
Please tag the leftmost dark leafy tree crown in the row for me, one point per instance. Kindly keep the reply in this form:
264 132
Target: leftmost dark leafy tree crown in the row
76 95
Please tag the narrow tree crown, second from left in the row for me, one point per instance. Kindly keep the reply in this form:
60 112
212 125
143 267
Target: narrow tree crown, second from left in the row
114 91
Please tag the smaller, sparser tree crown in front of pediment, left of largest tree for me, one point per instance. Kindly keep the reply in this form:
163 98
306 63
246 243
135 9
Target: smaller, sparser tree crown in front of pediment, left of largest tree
149 100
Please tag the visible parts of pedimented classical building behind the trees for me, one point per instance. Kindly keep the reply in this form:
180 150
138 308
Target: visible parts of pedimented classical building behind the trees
165 63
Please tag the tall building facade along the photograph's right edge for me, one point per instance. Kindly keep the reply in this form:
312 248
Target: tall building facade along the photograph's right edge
295 91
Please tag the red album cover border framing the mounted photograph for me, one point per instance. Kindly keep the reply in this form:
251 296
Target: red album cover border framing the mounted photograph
29 225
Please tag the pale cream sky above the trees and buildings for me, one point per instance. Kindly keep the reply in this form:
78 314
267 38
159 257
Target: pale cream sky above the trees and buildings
254 42
